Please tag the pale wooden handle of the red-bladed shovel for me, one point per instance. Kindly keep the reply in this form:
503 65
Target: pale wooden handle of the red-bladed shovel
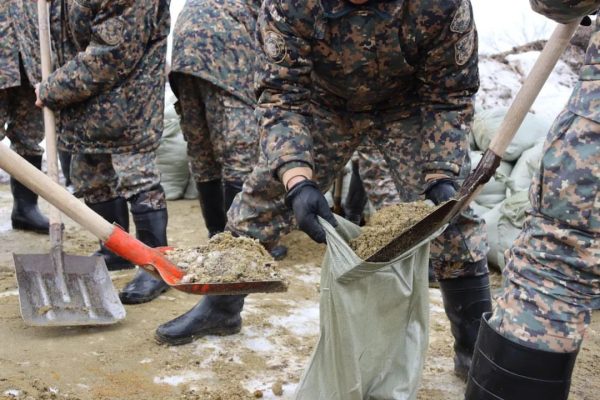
54 193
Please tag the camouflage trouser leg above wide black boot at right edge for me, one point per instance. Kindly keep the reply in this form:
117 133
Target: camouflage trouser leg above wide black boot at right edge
552 278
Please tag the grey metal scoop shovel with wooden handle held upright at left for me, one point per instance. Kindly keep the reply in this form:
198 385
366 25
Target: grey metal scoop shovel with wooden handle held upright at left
57 289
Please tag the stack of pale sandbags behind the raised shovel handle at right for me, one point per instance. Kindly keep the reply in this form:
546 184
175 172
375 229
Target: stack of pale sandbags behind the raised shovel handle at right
504 199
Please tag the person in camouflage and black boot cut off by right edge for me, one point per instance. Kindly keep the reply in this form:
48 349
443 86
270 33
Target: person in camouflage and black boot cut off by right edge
527 348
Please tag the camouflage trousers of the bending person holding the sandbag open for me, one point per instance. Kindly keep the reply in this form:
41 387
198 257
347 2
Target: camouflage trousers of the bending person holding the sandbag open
259 210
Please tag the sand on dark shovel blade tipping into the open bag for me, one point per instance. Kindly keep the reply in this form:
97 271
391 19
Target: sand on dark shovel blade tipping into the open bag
386 224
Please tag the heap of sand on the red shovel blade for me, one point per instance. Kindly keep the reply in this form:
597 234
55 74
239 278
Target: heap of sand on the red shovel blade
225 259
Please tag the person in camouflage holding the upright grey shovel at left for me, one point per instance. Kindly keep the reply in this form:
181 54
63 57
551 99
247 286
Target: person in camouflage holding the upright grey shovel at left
108 91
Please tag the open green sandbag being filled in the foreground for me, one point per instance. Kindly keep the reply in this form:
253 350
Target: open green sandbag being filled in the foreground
373 324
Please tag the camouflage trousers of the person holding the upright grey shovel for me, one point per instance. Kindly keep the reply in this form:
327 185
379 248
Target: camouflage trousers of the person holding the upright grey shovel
102 177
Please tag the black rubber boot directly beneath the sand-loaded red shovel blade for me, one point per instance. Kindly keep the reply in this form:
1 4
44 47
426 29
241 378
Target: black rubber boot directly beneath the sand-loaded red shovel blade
213 315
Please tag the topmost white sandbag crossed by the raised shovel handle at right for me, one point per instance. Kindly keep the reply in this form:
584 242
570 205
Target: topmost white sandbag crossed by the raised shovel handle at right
533 129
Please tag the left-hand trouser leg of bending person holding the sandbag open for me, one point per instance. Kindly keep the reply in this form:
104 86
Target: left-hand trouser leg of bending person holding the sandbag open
259 211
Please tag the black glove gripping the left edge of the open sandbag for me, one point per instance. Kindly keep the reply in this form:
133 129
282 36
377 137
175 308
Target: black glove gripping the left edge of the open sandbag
308 202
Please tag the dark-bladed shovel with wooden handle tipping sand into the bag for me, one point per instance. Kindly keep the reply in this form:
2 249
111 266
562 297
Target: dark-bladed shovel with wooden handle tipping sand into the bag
486 168
